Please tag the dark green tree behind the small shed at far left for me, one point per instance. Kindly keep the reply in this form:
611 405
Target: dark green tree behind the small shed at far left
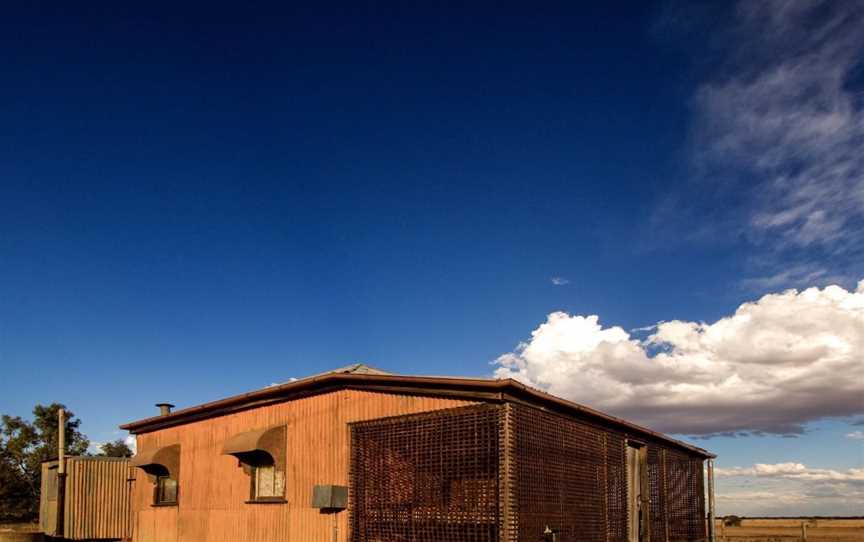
24 446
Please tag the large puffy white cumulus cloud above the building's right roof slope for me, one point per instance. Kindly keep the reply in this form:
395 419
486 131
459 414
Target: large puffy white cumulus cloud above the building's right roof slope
774 365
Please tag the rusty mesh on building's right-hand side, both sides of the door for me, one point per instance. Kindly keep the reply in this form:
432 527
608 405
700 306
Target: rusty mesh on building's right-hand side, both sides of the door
571 476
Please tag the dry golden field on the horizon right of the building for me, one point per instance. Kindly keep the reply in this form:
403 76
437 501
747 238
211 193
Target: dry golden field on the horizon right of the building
789 529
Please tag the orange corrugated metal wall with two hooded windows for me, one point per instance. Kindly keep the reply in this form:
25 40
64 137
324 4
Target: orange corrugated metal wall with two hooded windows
213 488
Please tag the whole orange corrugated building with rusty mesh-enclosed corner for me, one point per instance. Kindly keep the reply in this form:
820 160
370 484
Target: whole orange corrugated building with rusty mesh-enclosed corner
422 459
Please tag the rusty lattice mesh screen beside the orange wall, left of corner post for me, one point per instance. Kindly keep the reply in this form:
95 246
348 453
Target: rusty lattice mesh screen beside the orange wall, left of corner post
431 477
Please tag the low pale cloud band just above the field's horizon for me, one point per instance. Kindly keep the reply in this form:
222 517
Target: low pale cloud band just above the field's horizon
789 489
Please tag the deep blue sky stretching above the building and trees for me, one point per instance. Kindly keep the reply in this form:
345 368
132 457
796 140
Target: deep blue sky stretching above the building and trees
199 201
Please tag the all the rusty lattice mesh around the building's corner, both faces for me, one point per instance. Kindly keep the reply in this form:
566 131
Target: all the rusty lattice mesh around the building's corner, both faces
491 472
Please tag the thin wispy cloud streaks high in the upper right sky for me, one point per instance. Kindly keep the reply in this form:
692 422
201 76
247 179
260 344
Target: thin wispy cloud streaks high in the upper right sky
787 118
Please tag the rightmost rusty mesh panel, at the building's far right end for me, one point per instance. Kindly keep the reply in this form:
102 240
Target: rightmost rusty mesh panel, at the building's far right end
684 482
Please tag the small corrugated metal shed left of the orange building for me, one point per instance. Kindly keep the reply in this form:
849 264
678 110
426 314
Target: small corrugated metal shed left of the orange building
97 499
